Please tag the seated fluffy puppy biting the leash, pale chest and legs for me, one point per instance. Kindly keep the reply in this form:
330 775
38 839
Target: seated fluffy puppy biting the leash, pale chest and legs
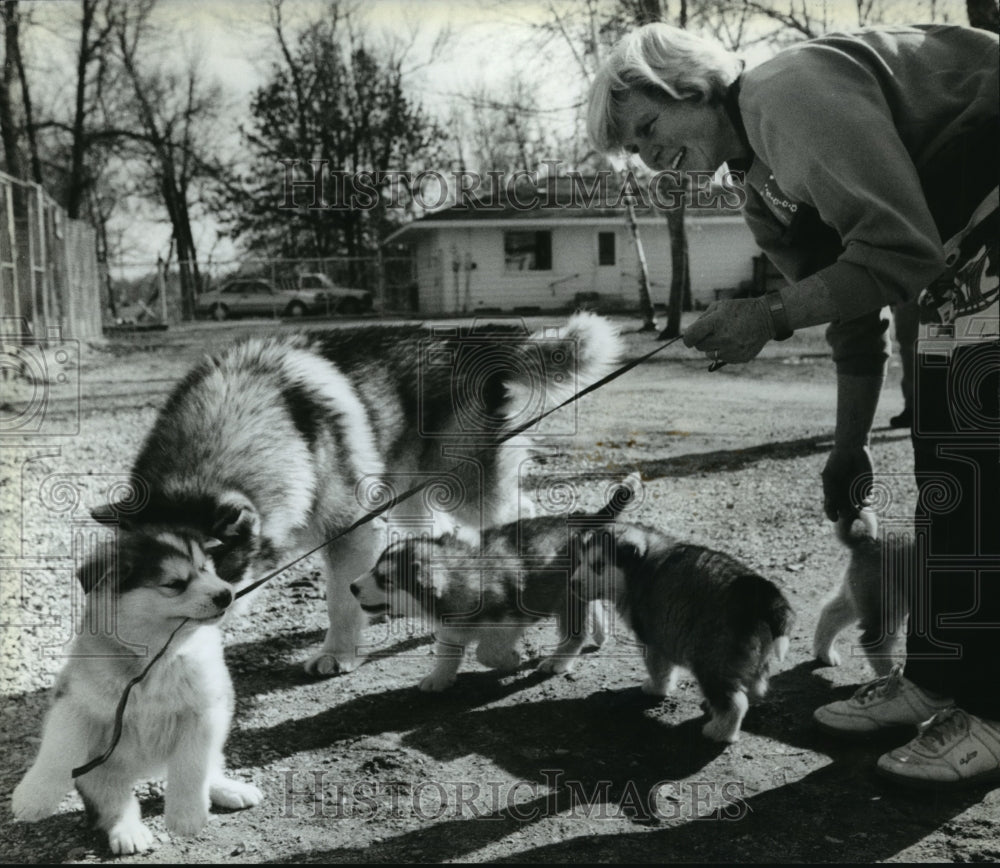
176 719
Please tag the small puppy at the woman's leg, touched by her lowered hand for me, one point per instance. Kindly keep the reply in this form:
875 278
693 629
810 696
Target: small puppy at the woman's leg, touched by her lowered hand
873 592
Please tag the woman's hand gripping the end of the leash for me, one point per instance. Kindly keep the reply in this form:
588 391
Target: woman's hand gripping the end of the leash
731 330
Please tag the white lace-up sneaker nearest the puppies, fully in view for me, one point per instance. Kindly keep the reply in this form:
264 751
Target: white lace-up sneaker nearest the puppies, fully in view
888 702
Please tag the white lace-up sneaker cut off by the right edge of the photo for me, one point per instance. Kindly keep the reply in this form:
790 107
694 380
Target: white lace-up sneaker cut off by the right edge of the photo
954 748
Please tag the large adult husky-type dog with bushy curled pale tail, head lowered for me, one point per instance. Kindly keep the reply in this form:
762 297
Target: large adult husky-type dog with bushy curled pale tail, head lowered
279 443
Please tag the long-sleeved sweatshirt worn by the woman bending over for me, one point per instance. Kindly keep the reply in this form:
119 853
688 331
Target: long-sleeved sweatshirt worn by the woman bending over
843 128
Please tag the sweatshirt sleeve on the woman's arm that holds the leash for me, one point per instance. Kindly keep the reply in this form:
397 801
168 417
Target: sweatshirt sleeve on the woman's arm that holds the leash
828 136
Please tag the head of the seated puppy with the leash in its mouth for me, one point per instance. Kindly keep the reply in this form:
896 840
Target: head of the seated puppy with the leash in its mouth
160 577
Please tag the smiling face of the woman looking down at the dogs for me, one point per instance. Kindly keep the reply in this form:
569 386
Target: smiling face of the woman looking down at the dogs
677 134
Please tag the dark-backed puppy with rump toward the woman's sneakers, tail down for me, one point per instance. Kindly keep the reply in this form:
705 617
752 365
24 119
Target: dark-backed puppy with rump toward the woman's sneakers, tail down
691 607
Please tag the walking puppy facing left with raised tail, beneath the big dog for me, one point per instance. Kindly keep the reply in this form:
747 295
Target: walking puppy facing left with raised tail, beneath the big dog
487 590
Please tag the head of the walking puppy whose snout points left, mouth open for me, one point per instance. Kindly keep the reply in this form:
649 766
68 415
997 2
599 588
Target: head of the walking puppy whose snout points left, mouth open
400 582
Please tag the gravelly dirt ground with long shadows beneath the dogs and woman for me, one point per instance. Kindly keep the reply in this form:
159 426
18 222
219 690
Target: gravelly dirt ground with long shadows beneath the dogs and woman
584 768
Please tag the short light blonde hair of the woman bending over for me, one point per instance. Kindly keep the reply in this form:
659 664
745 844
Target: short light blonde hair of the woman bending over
660 60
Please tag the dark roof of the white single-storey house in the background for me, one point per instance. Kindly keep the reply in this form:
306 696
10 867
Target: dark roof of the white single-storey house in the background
573 199
